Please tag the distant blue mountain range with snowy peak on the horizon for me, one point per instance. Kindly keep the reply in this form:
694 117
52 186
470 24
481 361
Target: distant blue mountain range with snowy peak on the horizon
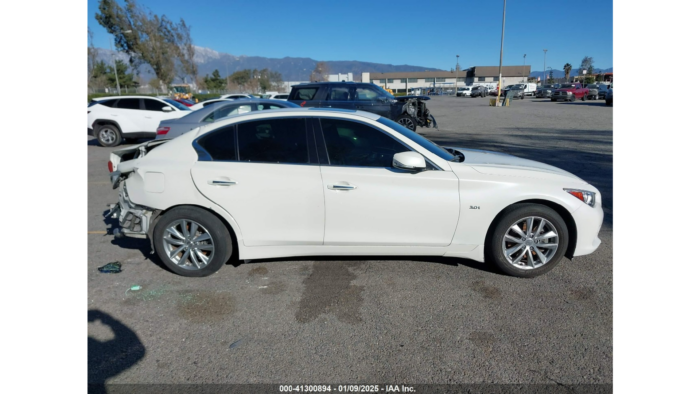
292 69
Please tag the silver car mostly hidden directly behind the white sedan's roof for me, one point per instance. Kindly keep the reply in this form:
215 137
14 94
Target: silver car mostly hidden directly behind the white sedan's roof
175 128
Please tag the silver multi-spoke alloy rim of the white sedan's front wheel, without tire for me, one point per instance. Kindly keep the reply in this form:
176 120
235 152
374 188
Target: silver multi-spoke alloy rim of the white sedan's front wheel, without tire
531 243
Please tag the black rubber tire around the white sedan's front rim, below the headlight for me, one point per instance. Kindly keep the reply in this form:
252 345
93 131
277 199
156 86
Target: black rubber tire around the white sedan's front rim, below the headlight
514 214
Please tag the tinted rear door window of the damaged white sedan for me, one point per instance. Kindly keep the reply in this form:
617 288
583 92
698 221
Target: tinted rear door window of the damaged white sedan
274 141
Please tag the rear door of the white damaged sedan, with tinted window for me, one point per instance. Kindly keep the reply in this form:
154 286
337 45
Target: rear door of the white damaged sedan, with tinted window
265 173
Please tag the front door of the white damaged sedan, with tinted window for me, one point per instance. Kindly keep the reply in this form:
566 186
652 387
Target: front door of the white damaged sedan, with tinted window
369 203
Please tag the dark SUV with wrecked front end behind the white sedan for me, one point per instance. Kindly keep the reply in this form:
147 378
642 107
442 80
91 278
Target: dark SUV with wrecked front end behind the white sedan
410 112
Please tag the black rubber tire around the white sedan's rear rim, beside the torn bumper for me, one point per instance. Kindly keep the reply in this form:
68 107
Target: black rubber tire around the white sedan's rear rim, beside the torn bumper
220 238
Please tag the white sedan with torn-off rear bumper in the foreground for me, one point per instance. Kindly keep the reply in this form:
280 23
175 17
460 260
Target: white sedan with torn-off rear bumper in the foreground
314 182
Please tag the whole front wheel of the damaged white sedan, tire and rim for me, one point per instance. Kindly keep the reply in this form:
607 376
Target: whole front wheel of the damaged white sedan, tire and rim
529 241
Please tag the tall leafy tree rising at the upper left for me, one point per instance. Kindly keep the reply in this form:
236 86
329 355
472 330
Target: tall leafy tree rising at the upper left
147 38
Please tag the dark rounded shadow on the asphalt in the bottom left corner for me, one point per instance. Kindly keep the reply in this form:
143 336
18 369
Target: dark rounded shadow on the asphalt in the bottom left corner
107 359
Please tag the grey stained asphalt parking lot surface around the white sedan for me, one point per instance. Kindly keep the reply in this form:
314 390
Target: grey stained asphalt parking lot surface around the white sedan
369 320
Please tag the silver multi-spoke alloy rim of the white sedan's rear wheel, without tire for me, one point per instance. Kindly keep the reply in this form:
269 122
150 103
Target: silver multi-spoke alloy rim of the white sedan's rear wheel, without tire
189 245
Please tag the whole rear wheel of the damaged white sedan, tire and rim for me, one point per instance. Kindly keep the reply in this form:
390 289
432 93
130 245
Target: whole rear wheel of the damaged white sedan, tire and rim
192 242
